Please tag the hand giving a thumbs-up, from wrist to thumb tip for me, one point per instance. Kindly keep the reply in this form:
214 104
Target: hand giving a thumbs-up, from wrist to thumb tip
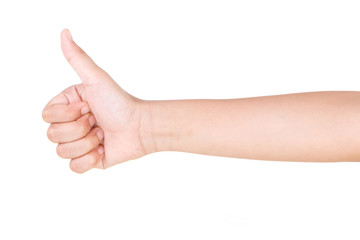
96 124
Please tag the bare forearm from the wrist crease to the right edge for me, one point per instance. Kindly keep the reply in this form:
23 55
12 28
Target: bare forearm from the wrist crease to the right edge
313 126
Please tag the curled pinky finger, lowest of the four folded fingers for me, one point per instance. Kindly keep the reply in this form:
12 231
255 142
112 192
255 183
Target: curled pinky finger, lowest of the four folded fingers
92 159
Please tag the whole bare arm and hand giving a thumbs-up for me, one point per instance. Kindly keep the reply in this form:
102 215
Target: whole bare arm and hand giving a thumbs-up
97 124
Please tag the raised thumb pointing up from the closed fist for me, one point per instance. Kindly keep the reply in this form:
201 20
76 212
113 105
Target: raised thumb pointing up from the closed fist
83 65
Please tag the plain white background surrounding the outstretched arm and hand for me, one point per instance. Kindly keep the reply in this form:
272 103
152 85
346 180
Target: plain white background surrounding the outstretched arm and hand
174 50
